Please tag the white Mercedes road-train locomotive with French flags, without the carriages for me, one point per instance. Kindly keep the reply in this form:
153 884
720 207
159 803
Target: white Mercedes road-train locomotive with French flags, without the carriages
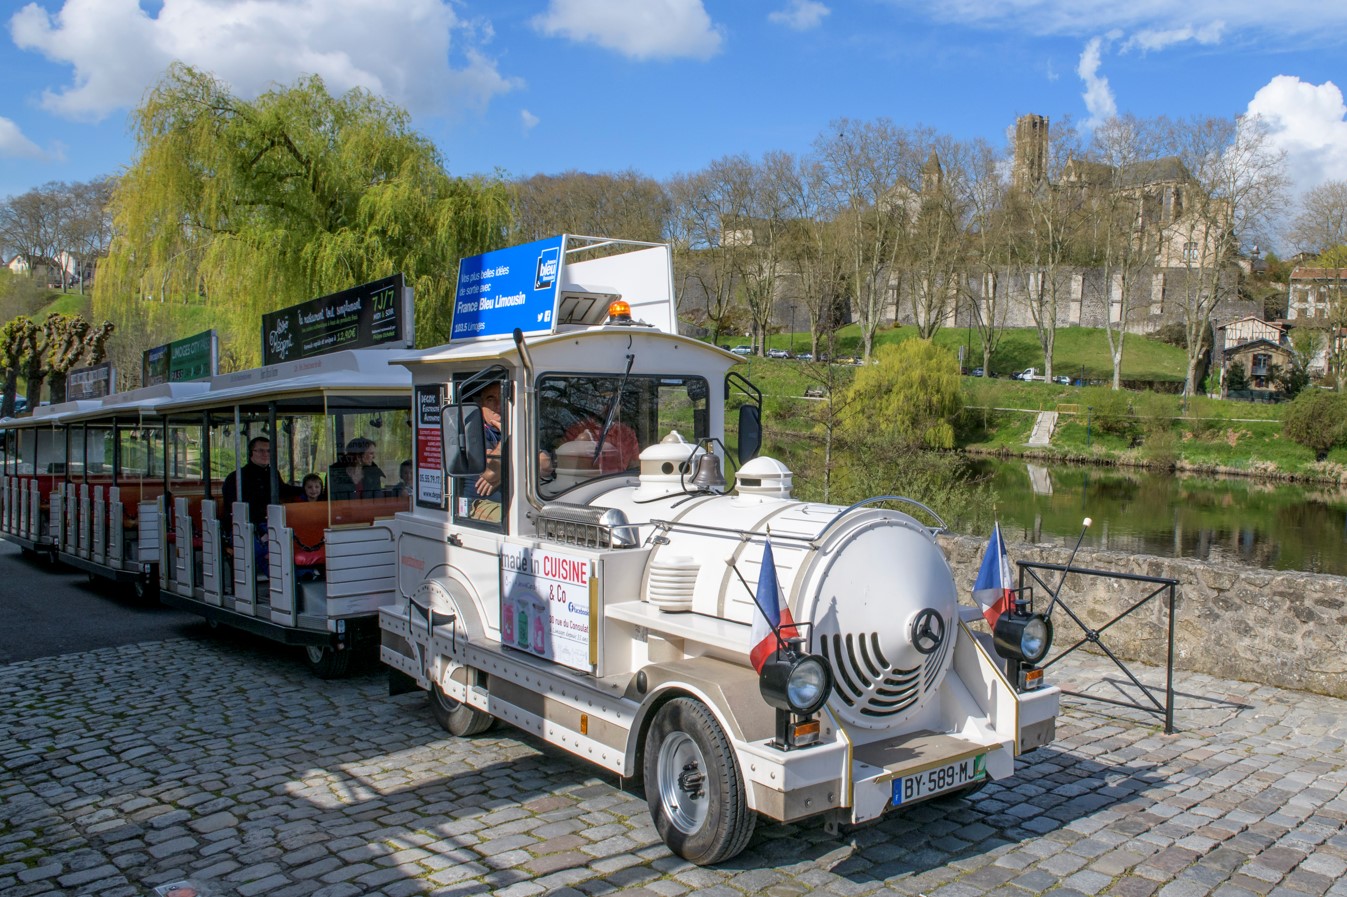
576 566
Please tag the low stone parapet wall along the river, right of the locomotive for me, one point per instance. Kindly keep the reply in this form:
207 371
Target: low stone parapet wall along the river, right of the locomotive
1286 630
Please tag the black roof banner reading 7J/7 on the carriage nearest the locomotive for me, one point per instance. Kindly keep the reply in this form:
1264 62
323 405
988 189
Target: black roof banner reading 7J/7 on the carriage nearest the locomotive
372 316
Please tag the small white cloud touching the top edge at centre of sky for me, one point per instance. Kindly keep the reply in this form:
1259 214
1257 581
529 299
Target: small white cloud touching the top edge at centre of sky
649 30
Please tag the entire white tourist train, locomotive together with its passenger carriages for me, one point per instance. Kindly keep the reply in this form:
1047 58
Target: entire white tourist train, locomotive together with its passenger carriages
564 553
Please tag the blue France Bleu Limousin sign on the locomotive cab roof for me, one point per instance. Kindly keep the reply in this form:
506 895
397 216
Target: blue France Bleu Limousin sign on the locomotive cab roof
508 289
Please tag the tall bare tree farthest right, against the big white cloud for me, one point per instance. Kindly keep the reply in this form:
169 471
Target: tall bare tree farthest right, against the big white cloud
1240 187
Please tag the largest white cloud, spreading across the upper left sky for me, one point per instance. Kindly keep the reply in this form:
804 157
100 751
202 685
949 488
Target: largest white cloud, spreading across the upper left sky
118 51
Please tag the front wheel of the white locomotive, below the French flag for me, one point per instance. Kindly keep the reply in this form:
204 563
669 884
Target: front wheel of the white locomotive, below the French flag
694 787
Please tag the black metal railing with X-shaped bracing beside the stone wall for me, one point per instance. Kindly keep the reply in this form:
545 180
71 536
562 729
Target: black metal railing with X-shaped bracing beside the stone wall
1030 573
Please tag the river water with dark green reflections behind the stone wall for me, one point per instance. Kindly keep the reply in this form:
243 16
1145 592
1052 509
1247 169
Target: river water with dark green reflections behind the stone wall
1267 525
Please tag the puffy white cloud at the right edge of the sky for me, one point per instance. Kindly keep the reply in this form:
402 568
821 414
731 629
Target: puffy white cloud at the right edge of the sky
1310 123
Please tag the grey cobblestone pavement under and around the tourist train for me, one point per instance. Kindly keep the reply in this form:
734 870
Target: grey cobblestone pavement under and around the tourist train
224 763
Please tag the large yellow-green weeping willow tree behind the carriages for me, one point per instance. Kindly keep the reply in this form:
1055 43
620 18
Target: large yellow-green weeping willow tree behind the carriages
236 208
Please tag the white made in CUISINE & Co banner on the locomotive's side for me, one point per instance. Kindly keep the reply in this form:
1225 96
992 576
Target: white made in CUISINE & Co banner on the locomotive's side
545 604
